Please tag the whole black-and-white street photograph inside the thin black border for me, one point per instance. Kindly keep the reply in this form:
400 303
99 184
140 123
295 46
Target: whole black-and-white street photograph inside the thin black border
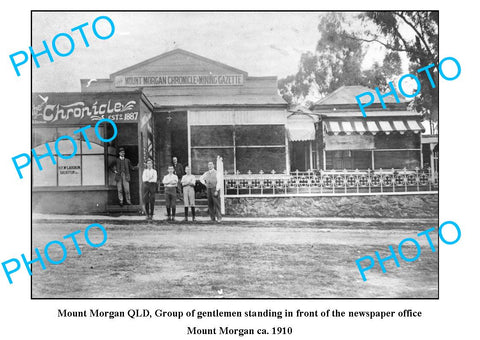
236 154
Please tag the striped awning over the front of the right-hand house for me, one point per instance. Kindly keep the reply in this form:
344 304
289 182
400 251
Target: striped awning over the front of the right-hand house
373 126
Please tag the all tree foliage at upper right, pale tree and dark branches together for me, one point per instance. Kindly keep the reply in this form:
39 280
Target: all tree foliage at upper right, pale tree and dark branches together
344 40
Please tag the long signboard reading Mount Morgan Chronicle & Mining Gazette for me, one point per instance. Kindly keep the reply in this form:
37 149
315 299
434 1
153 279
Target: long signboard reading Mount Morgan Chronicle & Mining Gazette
180 80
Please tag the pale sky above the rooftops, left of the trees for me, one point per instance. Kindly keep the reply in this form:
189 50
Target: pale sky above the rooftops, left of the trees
260 43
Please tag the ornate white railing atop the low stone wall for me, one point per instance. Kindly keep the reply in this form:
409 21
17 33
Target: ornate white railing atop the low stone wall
330 182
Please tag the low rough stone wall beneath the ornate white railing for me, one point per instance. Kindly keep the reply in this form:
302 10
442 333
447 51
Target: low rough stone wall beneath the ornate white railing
388 206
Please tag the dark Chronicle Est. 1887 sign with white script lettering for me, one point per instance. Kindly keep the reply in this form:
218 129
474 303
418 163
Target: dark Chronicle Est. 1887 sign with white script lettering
84 108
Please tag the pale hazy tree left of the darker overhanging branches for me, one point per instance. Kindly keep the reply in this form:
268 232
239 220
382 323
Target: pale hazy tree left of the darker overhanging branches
336 62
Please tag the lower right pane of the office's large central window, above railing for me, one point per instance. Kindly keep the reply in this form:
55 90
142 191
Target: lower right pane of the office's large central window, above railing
256 159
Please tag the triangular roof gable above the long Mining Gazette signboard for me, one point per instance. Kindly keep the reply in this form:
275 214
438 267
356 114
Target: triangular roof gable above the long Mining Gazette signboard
177 62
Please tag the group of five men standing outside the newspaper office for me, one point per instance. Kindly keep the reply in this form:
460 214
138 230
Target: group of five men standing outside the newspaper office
179 182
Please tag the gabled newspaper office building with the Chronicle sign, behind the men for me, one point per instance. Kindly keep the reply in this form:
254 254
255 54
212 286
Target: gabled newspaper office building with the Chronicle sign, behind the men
184 105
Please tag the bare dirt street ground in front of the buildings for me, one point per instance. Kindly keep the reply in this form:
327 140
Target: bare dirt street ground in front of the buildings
262 259
